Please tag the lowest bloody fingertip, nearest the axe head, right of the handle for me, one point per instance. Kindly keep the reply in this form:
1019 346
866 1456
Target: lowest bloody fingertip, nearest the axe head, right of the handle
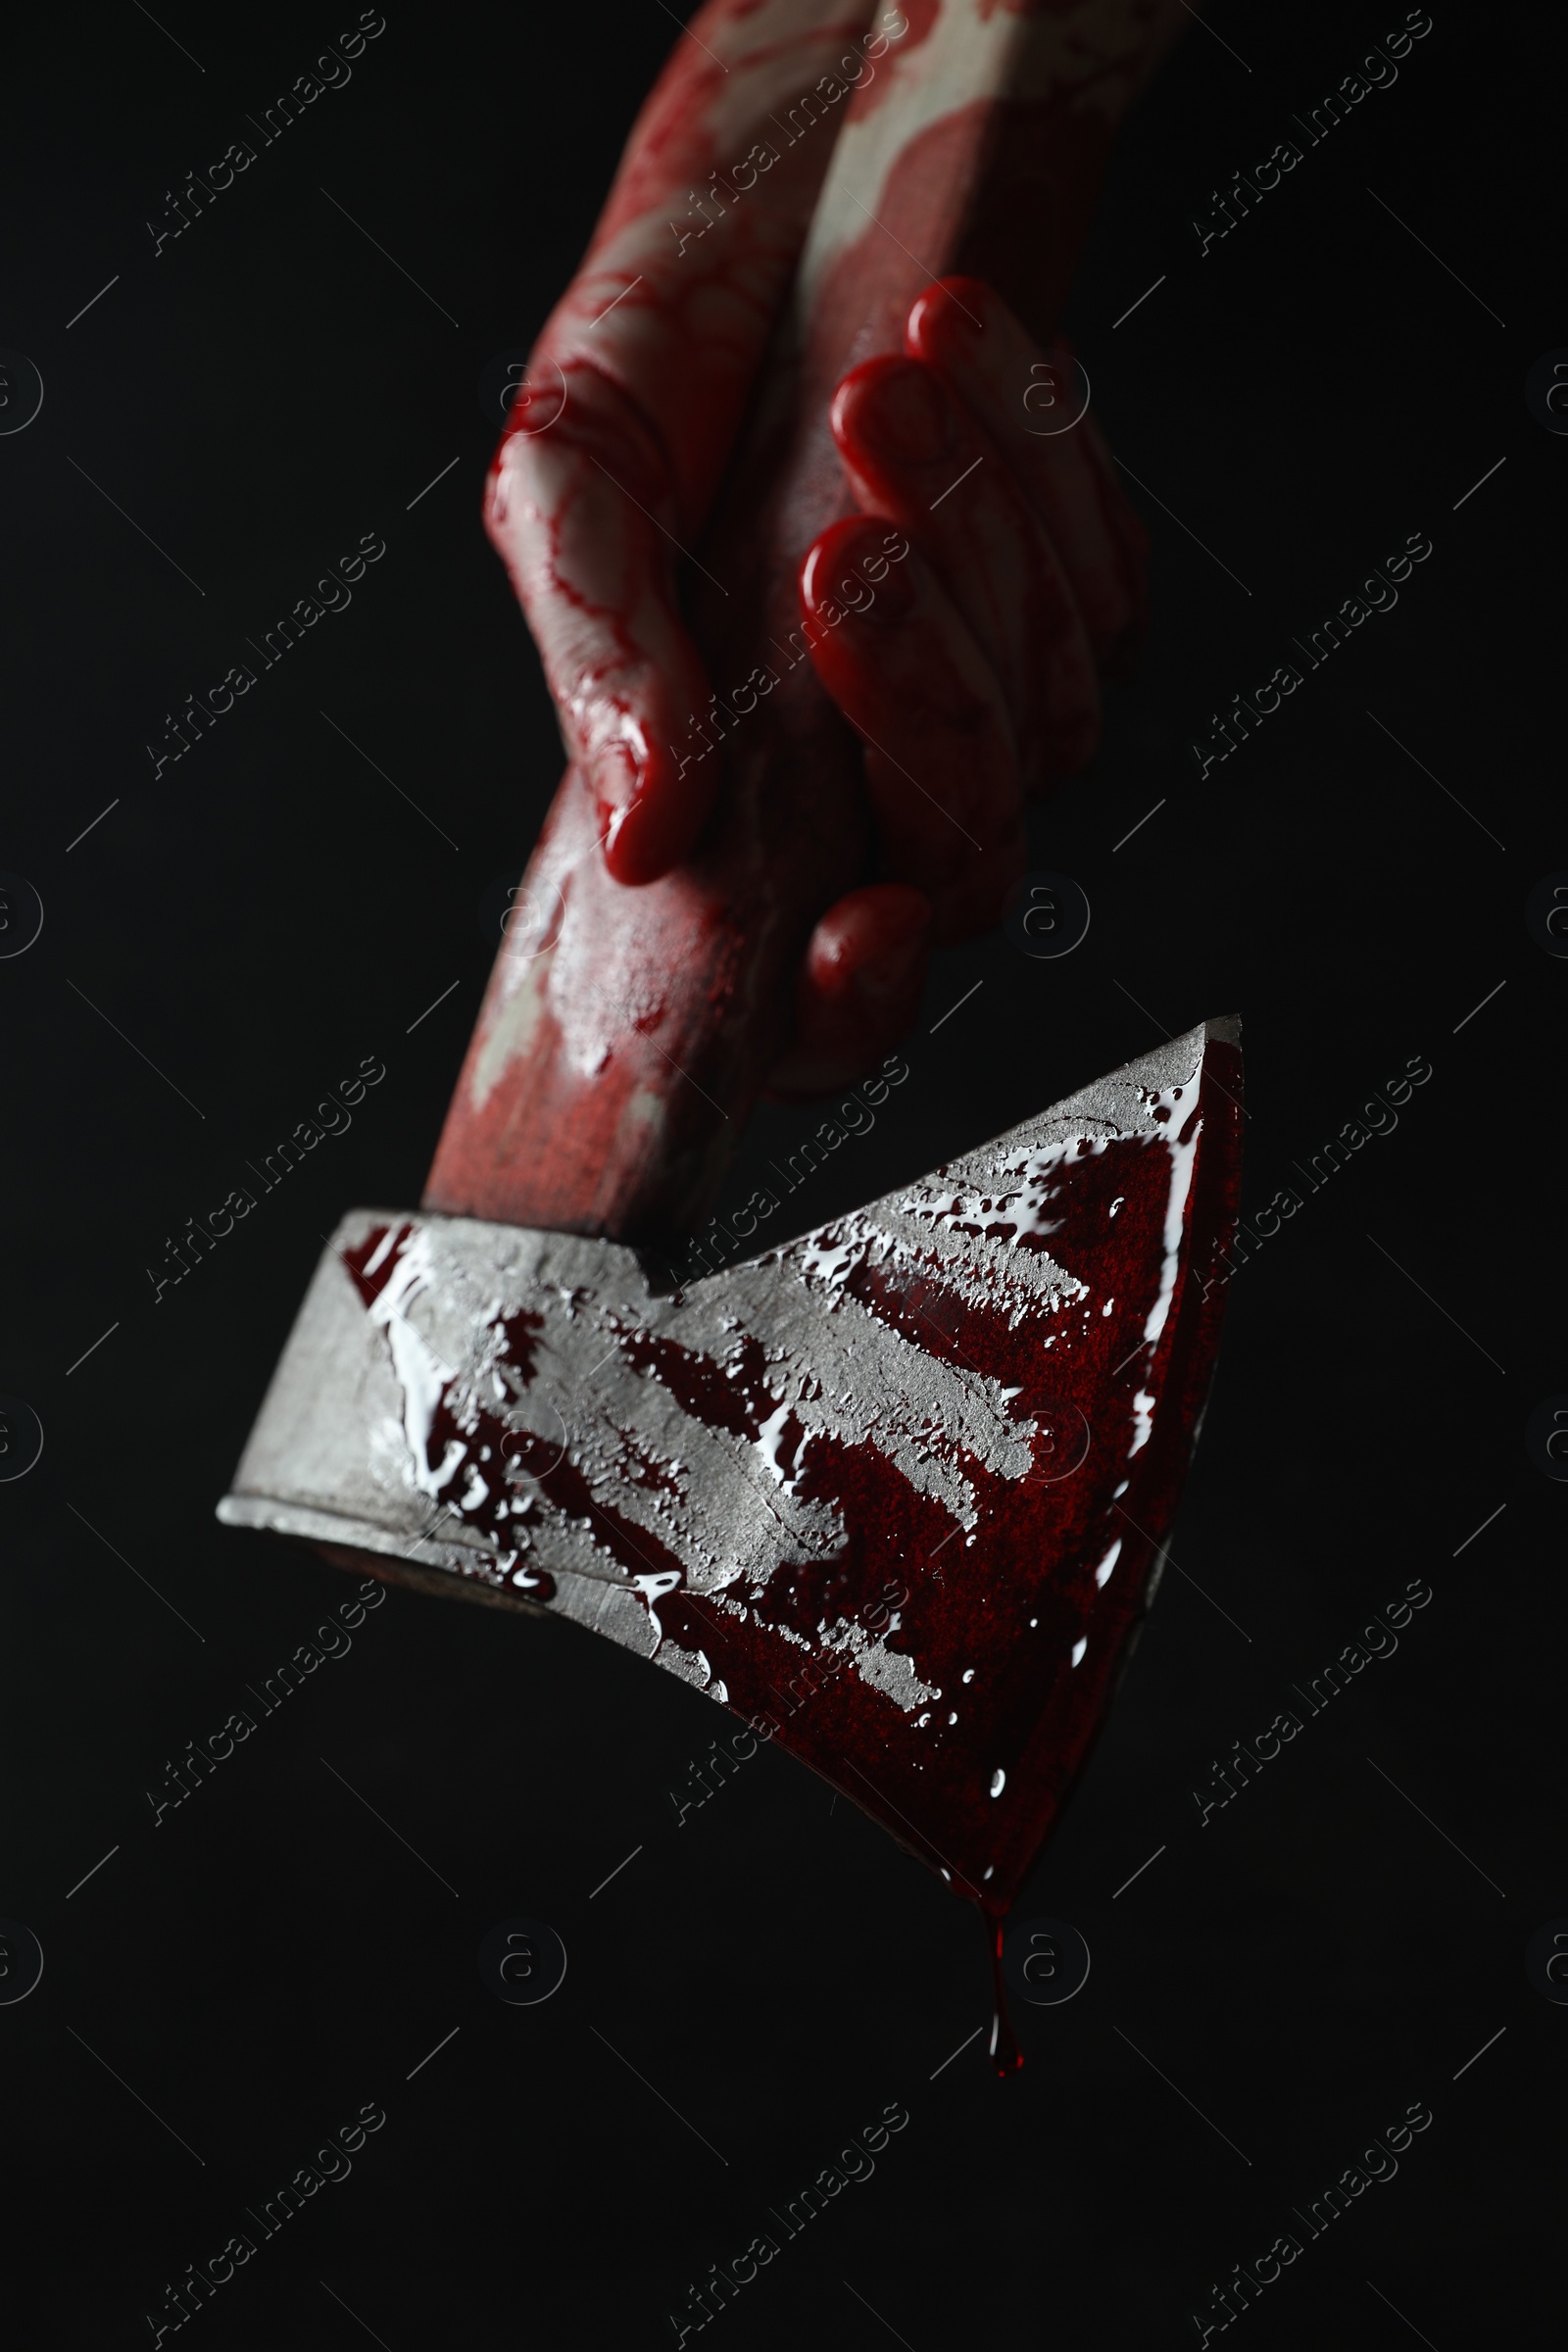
859 989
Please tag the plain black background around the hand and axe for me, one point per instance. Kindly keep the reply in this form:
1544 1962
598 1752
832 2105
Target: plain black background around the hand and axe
272 909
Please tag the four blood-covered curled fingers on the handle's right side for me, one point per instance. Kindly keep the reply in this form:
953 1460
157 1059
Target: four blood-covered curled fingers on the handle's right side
970 669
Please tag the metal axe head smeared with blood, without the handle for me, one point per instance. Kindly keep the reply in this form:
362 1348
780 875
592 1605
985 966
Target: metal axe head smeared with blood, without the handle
897 1492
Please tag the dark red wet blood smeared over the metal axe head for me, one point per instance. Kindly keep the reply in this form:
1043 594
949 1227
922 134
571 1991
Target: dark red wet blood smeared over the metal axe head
1017 1626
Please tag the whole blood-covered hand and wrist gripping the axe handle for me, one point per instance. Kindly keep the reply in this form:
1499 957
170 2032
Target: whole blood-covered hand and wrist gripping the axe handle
970 674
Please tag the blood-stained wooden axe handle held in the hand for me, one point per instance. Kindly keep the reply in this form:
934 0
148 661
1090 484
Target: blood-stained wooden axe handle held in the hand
626 1034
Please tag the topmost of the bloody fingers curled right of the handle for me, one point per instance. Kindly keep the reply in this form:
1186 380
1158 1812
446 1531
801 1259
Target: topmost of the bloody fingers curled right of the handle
1021 394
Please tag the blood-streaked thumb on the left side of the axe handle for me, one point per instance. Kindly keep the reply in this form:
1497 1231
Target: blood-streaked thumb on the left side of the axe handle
577 509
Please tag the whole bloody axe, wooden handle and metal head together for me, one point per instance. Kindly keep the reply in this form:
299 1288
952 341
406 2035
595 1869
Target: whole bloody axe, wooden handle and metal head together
897 1492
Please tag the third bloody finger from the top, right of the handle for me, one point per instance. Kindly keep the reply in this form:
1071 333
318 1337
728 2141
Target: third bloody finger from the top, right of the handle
909 676
